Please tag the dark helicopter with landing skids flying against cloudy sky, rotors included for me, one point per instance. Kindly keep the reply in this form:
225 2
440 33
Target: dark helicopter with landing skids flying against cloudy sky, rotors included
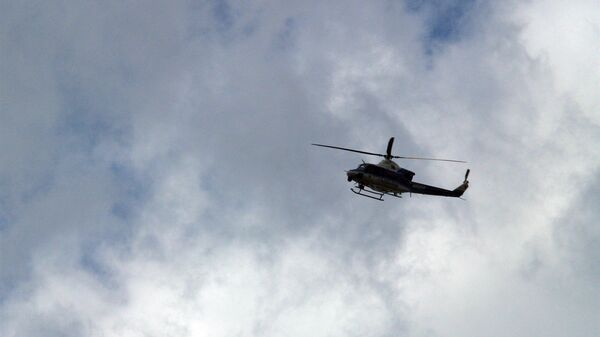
388 178
